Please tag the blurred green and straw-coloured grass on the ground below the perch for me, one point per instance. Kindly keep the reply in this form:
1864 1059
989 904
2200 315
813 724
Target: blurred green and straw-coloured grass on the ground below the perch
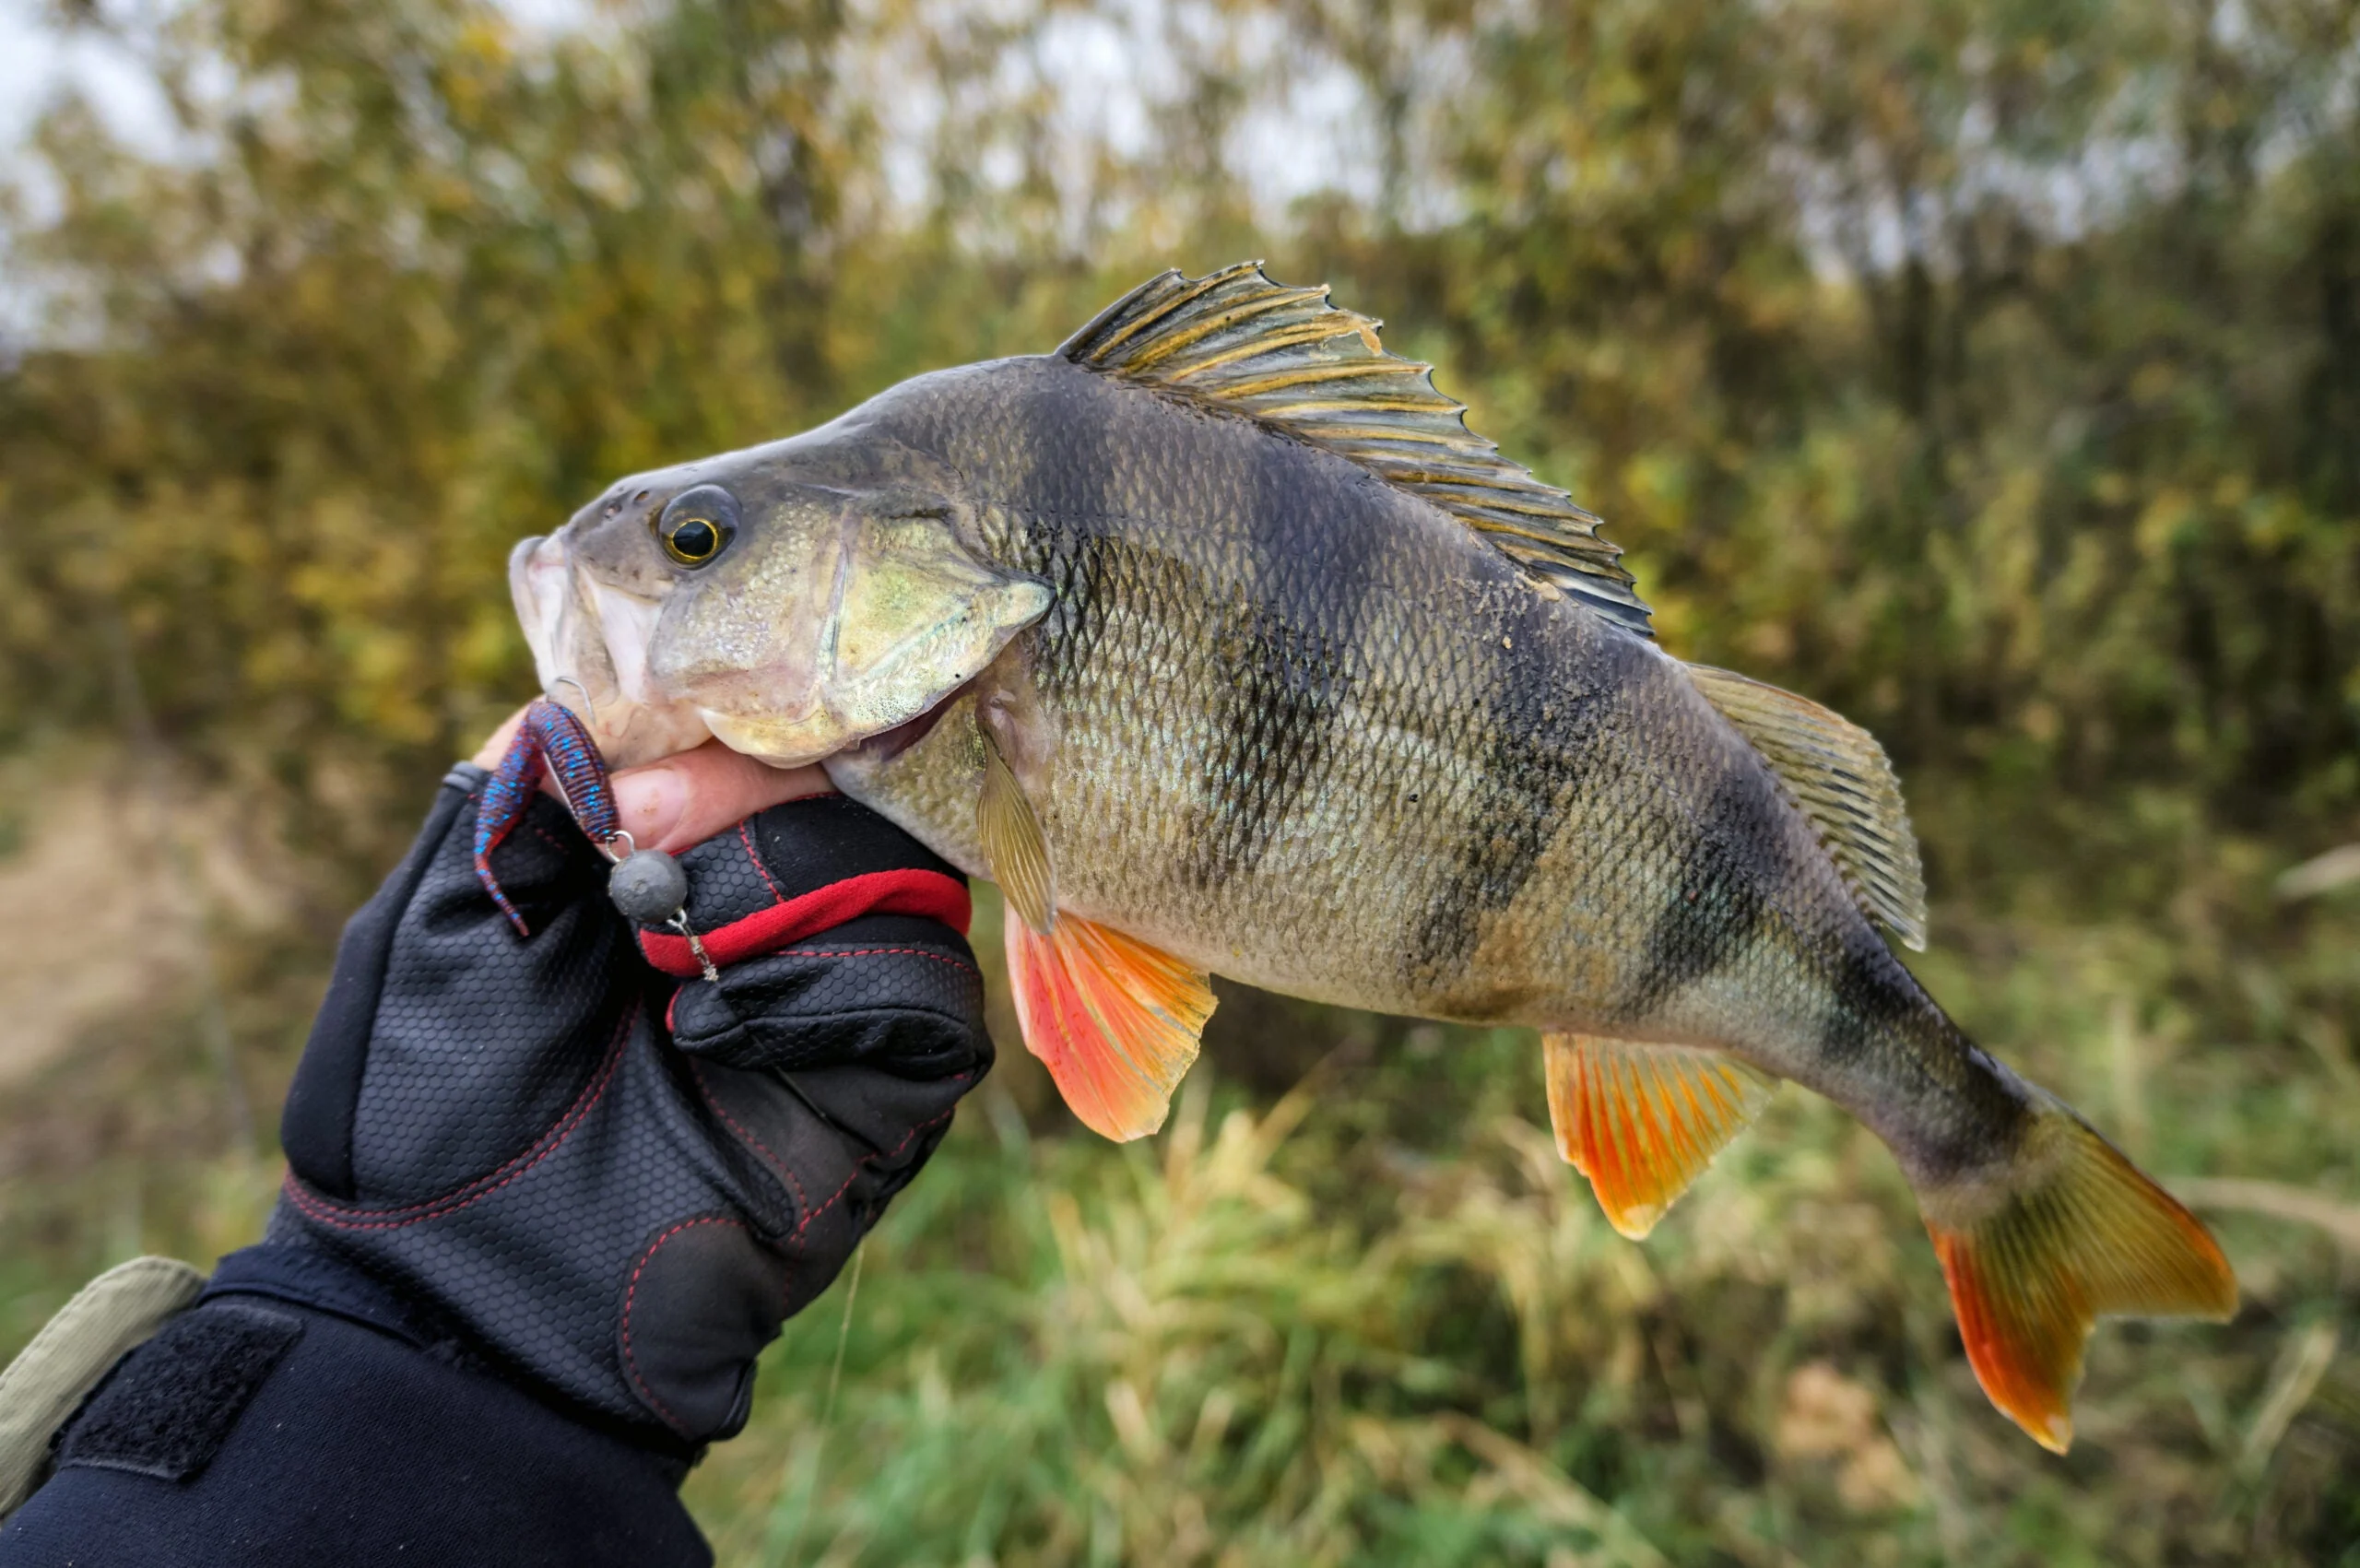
1375 1319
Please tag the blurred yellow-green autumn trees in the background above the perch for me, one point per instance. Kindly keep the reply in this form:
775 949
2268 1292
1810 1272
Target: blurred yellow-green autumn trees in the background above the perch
1986 370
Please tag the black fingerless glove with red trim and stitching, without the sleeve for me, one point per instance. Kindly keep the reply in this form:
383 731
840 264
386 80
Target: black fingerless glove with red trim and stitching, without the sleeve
511 1137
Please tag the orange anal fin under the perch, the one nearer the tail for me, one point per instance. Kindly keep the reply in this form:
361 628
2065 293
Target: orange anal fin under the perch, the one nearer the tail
1644 1121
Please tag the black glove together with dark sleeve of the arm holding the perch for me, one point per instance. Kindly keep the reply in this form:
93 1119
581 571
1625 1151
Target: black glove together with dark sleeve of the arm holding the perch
546 1203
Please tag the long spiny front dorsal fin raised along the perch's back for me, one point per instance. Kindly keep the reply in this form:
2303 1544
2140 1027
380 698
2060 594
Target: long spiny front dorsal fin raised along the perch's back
1309 370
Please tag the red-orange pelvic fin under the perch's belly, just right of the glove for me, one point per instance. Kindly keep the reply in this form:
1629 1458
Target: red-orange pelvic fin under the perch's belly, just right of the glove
1115 1019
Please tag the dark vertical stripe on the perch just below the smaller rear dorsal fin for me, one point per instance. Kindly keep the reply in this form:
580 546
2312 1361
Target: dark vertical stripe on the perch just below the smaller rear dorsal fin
1717 901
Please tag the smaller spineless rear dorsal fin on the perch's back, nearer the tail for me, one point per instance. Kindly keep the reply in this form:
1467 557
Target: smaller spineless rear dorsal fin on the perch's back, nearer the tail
1842 780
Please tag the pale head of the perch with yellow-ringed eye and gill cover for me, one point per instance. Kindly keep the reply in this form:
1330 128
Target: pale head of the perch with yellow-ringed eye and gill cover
785 601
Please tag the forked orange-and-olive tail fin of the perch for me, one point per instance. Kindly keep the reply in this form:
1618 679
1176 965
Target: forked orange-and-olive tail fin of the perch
2066 1234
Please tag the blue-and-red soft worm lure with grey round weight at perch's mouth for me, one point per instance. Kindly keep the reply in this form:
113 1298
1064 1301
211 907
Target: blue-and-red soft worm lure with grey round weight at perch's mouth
648 887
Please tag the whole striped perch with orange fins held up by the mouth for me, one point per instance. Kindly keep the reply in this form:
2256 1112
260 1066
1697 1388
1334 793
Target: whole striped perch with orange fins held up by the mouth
1221 646
